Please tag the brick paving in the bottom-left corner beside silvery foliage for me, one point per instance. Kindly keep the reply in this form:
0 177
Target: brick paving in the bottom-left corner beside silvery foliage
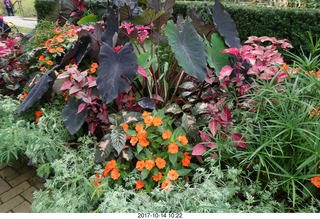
17 184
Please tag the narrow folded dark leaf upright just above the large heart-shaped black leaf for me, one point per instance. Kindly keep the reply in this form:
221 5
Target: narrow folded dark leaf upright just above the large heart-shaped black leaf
111 26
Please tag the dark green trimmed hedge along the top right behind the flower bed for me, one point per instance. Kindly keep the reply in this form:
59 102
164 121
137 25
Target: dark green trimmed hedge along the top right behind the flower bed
282 23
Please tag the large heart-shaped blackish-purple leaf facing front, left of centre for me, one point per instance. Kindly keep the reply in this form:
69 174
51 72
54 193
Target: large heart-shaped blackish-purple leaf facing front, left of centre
115 70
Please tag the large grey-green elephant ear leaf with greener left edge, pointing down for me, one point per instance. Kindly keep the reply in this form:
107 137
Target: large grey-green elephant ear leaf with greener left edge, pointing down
188 49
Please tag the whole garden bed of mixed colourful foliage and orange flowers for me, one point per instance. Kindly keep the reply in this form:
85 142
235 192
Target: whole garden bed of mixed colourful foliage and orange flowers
135 112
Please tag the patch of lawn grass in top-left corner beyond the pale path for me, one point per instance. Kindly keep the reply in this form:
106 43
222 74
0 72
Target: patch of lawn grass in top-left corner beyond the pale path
27 7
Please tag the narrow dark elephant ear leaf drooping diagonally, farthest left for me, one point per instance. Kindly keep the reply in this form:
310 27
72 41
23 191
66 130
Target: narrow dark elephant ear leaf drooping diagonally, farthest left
38 91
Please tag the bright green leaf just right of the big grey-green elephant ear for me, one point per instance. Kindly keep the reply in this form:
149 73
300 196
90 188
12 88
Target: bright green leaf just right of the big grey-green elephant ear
216 59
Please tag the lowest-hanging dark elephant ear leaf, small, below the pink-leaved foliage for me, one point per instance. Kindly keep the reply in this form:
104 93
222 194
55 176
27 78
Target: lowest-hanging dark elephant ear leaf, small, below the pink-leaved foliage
70 116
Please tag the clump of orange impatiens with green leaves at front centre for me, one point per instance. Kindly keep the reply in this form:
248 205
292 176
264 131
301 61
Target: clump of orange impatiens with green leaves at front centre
161 152
